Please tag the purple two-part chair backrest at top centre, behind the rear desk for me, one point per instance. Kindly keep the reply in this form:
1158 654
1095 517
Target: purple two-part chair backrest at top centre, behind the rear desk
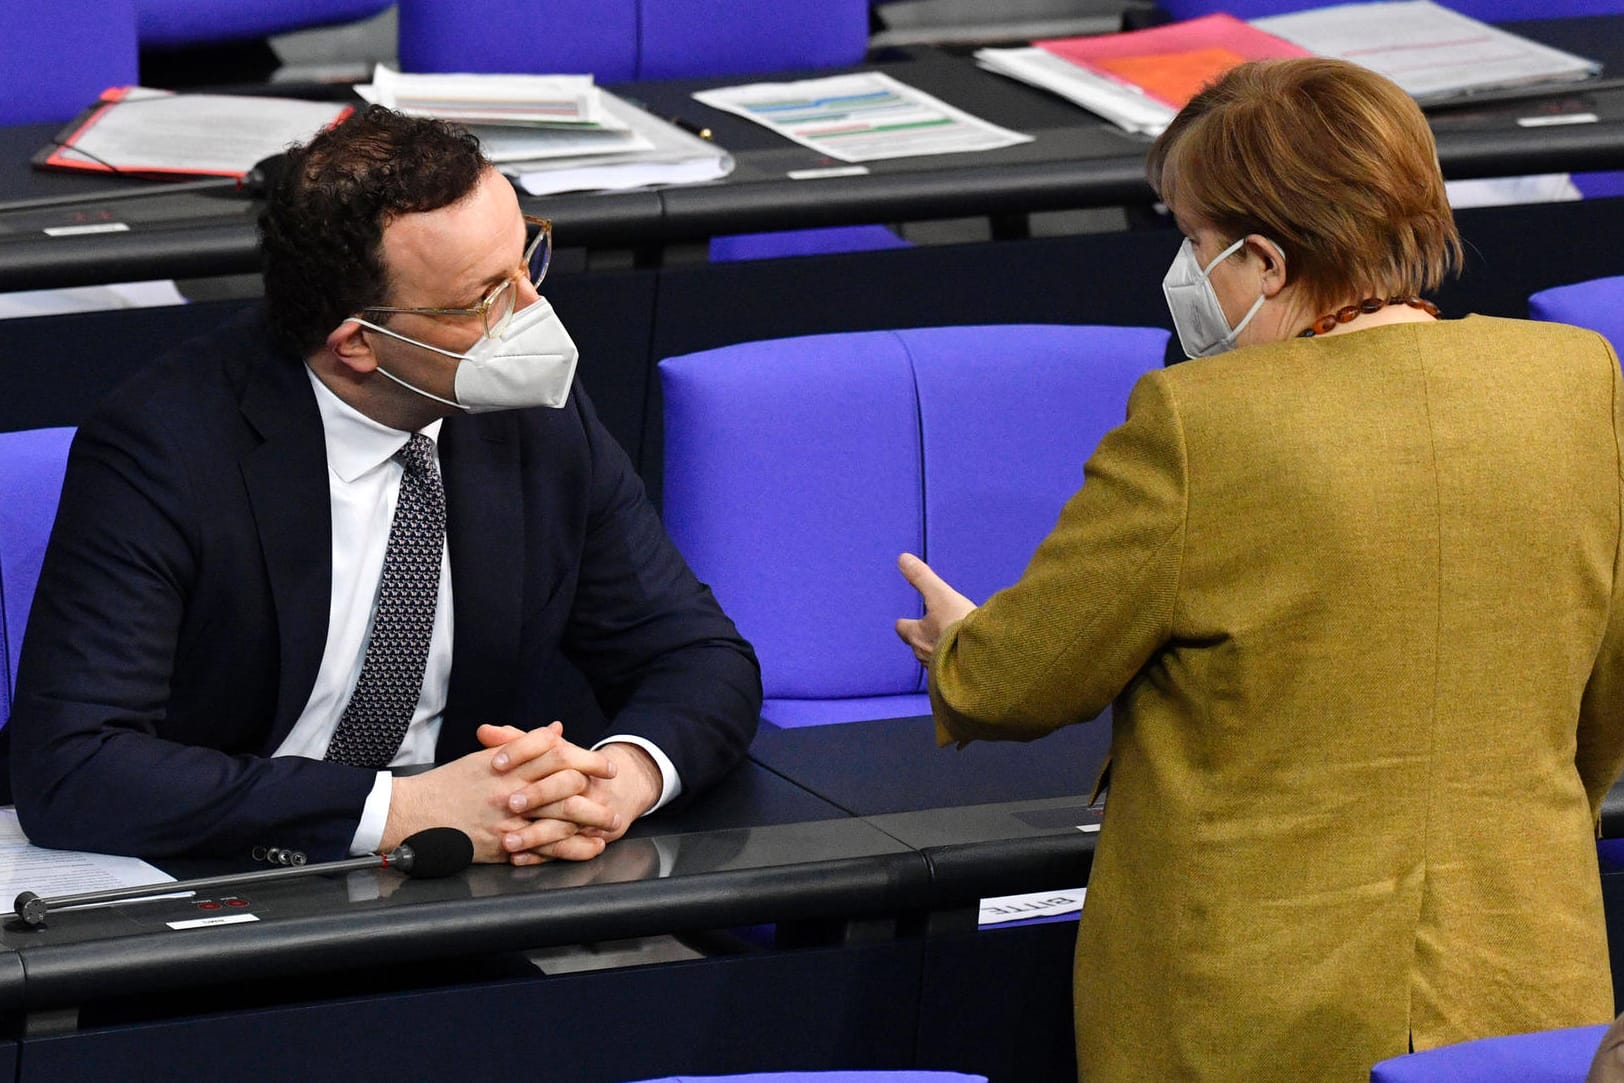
631 40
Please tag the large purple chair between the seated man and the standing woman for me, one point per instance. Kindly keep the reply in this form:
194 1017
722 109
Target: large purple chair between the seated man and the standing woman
798 470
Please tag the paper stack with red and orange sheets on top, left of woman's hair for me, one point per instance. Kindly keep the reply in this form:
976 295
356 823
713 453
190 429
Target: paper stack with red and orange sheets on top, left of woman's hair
1142 79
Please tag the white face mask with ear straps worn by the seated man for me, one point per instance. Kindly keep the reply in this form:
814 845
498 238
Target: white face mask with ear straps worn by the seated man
532 363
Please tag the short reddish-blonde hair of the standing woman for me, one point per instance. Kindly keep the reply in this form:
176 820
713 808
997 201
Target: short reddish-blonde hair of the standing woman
1328 160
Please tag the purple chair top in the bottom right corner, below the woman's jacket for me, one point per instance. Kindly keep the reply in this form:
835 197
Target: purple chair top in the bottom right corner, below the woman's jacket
1540 1058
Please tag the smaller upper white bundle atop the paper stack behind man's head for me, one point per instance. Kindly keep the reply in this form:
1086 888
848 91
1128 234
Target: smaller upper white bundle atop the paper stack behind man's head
522 100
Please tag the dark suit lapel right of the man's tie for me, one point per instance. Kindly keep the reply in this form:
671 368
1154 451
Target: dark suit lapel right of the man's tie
485 530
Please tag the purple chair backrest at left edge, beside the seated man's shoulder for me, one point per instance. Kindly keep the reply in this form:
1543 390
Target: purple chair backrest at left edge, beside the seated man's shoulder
32 467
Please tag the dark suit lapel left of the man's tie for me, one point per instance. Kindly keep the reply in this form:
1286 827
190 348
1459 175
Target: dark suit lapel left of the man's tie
288 491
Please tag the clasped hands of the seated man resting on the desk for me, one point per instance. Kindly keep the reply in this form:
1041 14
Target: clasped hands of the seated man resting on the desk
530 796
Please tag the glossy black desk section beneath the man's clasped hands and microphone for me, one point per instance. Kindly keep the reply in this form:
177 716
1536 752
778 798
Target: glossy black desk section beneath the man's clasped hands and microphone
756 850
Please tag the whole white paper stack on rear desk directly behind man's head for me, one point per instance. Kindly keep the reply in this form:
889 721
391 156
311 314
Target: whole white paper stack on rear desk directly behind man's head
555 132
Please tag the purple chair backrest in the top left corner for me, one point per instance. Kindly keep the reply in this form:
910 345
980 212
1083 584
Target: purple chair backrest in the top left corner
56 59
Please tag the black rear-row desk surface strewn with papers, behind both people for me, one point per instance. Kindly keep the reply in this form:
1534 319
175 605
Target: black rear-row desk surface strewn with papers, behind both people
1074 162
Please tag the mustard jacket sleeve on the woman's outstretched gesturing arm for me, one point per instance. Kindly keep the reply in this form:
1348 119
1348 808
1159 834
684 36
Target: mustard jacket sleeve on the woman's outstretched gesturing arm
1027 662
